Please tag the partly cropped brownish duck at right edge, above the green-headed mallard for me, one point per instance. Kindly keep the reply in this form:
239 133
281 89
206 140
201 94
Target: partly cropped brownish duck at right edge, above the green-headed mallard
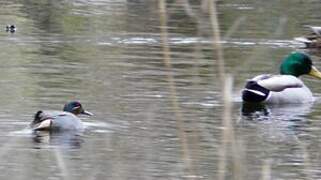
313 40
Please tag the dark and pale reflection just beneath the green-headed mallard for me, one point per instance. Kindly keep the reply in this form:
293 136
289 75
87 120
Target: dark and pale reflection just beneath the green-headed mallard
278 123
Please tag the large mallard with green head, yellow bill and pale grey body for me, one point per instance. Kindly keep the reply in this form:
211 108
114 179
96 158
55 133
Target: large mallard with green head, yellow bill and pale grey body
285 87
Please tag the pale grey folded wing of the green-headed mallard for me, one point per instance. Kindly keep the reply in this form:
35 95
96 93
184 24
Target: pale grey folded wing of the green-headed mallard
280 82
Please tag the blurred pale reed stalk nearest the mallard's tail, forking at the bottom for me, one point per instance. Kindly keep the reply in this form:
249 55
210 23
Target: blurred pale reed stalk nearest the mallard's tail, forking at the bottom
226 81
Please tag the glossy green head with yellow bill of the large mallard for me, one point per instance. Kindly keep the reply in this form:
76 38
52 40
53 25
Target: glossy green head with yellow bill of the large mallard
298 64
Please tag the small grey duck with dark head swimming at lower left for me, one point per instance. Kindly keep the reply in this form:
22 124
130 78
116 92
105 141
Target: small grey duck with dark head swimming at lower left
60 120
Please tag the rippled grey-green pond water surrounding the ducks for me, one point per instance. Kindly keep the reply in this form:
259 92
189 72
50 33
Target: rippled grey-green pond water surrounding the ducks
108 54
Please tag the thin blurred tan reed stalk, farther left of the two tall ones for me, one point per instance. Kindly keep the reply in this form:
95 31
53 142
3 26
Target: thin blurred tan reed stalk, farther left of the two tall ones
173 93
